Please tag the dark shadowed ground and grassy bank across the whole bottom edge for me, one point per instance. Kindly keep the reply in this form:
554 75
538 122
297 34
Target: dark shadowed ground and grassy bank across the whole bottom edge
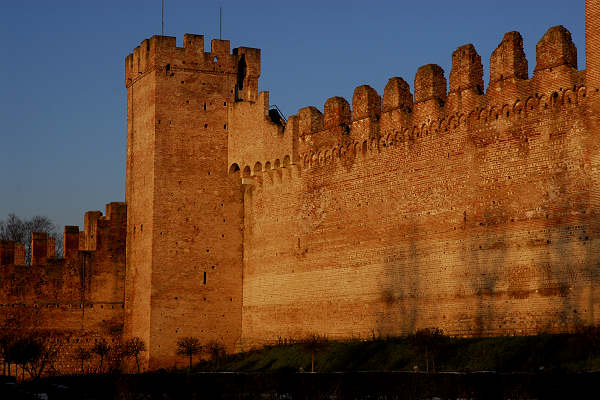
426 365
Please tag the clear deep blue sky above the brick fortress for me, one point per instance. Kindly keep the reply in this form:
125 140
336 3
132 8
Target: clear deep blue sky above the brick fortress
62 94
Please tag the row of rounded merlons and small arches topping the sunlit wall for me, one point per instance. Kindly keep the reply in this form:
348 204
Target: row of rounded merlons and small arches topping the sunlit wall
510 97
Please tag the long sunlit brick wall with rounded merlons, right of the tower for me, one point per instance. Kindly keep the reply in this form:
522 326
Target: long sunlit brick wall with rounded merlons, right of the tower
472 211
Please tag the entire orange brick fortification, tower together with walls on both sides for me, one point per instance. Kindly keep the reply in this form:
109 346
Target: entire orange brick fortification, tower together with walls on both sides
474 210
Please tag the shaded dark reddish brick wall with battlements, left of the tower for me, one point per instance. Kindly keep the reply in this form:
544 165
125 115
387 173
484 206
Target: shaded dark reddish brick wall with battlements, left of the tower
78 299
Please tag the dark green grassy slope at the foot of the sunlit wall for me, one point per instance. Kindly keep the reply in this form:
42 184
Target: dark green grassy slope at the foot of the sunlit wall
544 352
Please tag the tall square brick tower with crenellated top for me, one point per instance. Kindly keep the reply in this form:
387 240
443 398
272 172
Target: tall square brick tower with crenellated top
185 214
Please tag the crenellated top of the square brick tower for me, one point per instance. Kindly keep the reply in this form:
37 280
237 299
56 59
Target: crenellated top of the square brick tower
161 53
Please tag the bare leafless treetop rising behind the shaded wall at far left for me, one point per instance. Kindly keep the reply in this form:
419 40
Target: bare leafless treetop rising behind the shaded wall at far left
19 230
